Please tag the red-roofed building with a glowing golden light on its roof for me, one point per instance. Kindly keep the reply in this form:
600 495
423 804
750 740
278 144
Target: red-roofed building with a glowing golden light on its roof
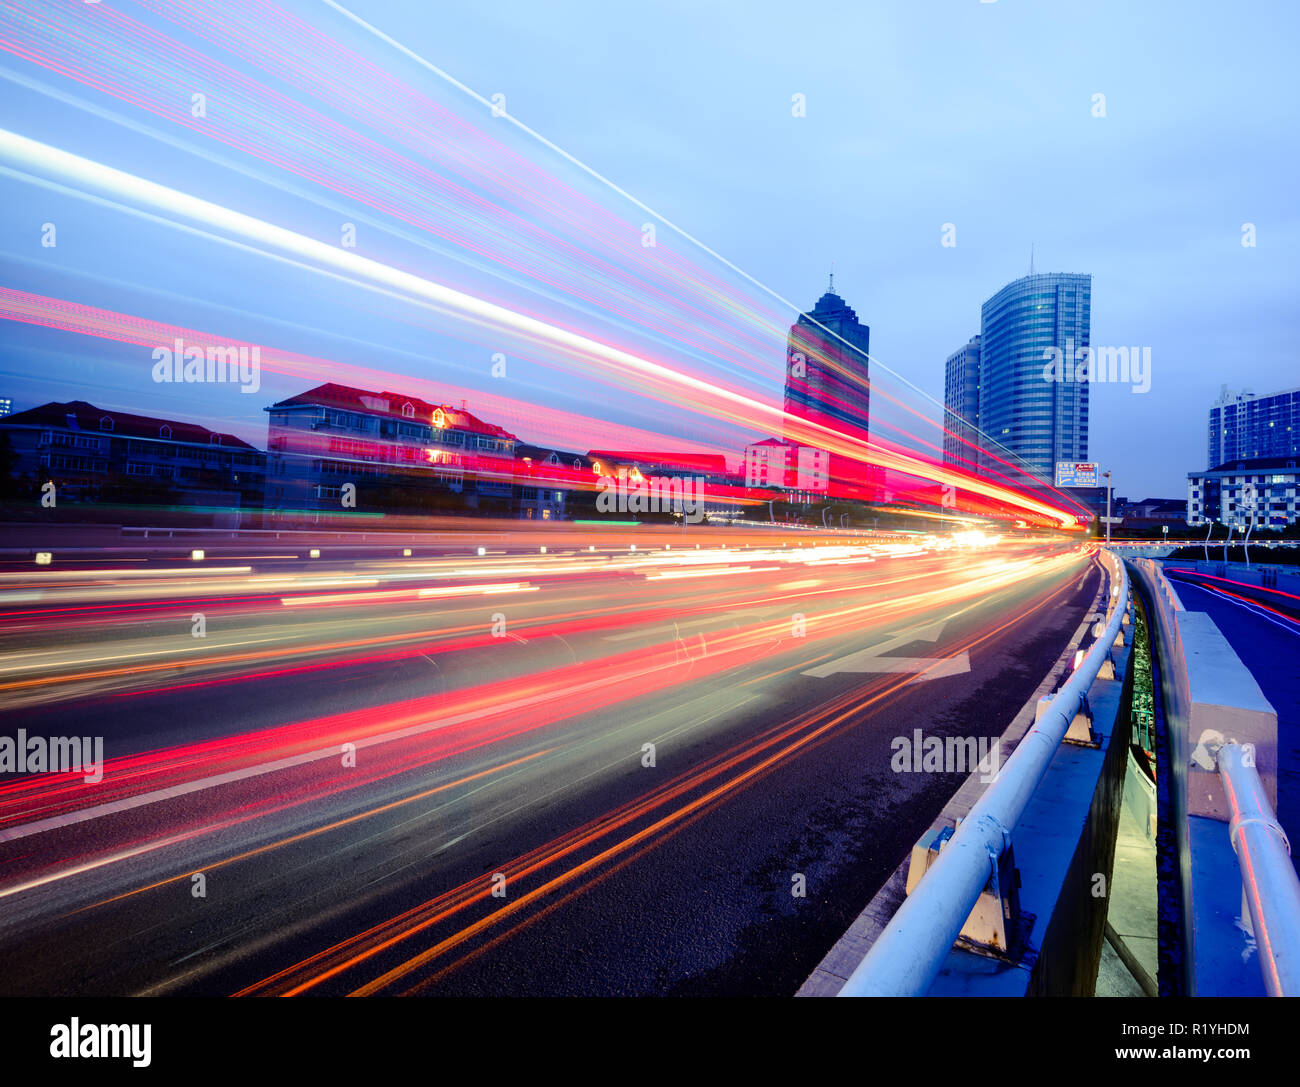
401 449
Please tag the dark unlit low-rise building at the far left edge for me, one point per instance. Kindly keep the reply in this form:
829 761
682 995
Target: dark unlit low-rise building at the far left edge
99 454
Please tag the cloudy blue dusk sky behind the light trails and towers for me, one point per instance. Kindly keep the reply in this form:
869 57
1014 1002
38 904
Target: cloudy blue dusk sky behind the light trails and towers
913 116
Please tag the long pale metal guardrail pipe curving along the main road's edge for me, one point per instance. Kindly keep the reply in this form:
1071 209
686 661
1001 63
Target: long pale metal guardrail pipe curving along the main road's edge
911 952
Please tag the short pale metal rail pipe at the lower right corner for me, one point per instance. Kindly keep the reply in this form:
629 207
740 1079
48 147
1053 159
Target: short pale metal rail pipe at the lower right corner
1269 885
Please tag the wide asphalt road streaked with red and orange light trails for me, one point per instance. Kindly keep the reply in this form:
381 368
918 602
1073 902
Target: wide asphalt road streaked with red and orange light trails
378 777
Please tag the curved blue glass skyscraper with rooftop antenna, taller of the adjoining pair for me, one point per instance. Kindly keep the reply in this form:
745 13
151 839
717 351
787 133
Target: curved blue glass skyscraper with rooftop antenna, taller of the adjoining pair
1038 419
